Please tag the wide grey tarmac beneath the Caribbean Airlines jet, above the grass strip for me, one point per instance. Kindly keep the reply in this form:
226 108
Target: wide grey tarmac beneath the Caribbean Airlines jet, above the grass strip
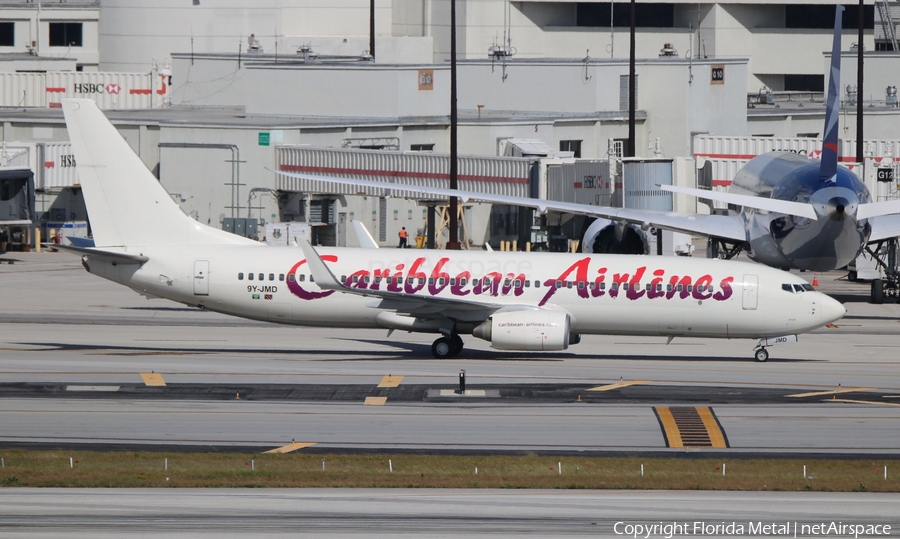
73 349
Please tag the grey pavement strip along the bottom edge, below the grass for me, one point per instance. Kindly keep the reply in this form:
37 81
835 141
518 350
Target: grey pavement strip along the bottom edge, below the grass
100 513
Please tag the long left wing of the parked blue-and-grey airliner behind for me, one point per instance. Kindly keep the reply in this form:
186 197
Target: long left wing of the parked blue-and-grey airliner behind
720 226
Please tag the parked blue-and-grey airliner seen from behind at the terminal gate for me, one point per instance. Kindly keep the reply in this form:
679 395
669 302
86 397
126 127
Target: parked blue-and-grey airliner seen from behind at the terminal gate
786 210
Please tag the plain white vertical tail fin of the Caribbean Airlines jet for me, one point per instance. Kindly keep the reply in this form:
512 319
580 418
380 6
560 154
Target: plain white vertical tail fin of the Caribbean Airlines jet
127 206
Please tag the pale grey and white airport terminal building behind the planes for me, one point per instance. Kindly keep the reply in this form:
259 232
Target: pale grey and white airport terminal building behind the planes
211 97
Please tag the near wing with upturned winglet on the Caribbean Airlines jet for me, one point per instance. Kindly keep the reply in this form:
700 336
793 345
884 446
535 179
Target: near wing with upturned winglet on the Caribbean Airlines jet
419 306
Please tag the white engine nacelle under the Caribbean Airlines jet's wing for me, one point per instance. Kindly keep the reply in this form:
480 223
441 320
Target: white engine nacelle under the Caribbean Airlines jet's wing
527 330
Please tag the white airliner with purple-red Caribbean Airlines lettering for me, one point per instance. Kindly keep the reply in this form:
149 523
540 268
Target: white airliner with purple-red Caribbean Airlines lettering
517 301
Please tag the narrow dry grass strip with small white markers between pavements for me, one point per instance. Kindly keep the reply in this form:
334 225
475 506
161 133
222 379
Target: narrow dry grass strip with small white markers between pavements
35 468
